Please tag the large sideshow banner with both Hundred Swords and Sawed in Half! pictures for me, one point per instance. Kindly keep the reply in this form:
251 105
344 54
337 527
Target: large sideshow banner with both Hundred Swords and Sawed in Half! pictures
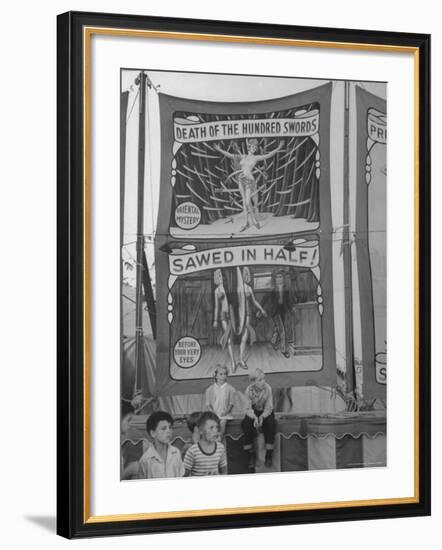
243 242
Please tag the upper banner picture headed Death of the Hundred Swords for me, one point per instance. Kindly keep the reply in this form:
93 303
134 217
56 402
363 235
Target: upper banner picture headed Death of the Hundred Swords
263 182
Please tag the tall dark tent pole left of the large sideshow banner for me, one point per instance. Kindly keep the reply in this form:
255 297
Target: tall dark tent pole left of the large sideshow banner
139 351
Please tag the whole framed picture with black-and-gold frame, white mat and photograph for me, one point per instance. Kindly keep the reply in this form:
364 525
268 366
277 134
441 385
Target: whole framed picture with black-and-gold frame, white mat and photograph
234 257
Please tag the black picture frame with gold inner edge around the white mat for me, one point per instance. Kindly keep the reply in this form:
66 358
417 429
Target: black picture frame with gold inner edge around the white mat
75 32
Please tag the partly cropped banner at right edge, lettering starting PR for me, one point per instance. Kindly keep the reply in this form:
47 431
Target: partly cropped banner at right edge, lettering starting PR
371 243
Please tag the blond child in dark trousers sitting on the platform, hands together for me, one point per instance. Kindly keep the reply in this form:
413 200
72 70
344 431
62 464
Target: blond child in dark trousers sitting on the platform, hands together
259 417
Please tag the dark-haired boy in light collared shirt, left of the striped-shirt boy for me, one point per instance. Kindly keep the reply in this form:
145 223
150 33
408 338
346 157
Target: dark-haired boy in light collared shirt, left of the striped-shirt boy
161 459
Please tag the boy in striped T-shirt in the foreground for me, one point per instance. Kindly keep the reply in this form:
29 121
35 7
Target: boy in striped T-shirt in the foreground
208 456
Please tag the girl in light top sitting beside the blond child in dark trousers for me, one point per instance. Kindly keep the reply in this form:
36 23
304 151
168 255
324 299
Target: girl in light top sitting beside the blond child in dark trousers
220 397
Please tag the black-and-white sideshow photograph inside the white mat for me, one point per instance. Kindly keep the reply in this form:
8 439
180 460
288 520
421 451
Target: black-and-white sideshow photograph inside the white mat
253 274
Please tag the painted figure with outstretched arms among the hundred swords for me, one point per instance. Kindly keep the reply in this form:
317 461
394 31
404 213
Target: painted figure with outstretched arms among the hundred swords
244 166
